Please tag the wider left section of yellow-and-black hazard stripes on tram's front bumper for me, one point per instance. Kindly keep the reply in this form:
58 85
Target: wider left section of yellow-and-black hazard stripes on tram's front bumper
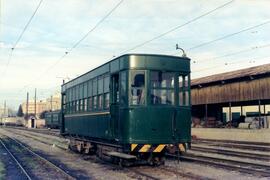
147 147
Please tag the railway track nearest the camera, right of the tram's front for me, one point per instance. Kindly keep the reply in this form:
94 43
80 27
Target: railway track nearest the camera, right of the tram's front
258 170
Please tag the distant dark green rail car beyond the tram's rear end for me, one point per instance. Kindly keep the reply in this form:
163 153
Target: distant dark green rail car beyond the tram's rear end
53 119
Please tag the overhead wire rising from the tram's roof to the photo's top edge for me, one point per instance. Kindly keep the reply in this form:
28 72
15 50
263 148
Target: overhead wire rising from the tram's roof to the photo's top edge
178 27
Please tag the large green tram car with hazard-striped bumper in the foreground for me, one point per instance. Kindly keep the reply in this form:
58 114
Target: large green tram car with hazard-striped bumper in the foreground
136 106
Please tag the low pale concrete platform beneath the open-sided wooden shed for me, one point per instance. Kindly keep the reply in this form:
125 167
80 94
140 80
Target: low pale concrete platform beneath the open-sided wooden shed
252 135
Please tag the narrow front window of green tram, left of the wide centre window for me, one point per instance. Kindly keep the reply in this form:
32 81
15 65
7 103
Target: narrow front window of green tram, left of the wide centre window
137 88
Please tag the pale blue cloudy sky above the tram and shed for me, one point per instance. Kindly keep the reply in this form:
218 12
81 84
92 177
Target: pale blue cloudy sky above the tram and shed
218 35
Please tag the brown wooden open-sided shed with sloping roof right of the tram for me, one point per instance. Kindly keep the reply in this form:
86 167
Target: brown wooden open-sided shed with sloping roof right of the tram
228 97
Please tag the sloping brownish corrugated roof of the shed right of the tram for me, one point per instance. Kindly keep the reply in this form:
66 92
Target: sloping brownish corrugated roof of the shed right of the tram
252 71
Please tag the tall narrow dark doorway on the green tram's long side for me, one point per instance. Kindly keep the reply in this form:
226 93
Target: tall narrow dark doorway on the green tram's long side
114 107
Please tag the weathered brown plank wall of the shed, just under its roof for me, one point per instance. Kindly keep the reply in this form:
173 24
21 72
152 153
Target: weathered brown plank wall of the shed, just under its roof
232 92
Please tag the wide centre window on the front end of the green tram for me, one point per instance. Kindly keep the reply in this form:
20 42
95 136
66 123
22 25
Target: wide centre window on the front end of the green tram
162 87
